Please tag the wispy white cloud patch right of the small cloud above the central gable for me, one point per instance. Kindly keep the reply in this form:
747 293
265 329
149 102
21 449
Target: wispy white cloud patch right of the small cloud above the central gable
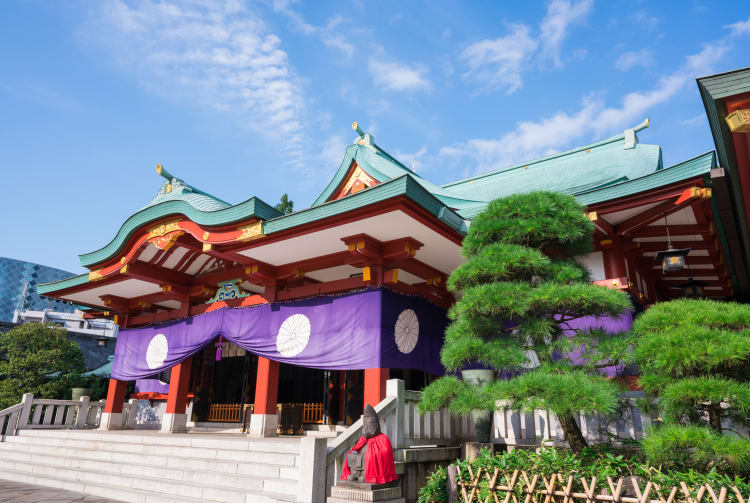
498 63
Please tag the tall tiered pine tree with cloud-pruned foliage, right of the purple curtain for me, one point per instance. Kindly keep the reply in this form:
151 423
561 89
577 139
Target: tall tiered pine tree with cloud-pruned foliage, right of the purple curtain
518 292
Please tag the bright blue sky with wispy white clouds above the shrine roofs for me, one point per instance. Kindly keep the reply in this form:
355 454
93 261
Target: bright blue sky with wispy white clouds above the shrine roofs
243 99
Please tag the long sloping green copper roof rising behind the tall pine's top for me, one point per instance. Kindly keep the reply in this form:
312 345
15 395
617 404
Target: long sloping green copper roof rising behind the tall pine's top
585 168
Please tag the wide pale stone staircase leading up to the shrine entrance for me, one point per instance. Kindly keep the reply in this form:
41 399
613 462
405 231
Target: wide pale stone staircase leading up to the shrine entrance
147 467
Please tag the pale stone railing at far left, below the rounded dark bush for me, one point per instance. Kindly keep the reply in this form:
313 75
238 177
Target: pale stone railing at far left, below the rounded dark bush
43 413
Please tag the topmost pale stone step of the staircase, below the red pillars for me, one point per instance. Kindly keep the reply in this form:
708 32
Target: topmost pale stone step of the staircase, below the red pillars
185 441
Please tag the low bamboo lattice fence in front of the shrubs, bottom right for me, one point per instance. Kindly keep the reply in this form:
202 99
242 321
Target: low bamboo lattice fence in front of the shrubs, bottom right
484 487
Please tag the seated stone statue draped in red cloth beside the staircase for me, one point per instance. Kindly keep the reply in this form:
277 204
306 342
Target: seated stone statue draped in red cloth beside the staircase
371 459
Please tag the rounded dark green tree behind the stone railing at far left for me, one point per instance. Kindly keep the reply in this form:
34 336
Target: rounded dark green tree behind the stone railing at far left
30 355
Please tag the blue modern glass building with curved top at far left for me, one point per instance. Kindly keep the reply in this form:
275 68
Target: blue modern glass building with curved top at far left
18 281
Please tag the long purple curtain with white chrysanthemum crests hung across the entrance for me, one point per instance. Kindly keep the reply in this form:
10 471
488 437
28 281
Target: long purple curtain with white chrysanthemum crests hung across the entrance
369 329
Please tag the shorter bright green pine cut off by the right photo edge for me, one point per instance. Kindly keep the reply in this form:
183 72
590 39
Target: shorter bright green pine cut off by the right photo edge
694 356
